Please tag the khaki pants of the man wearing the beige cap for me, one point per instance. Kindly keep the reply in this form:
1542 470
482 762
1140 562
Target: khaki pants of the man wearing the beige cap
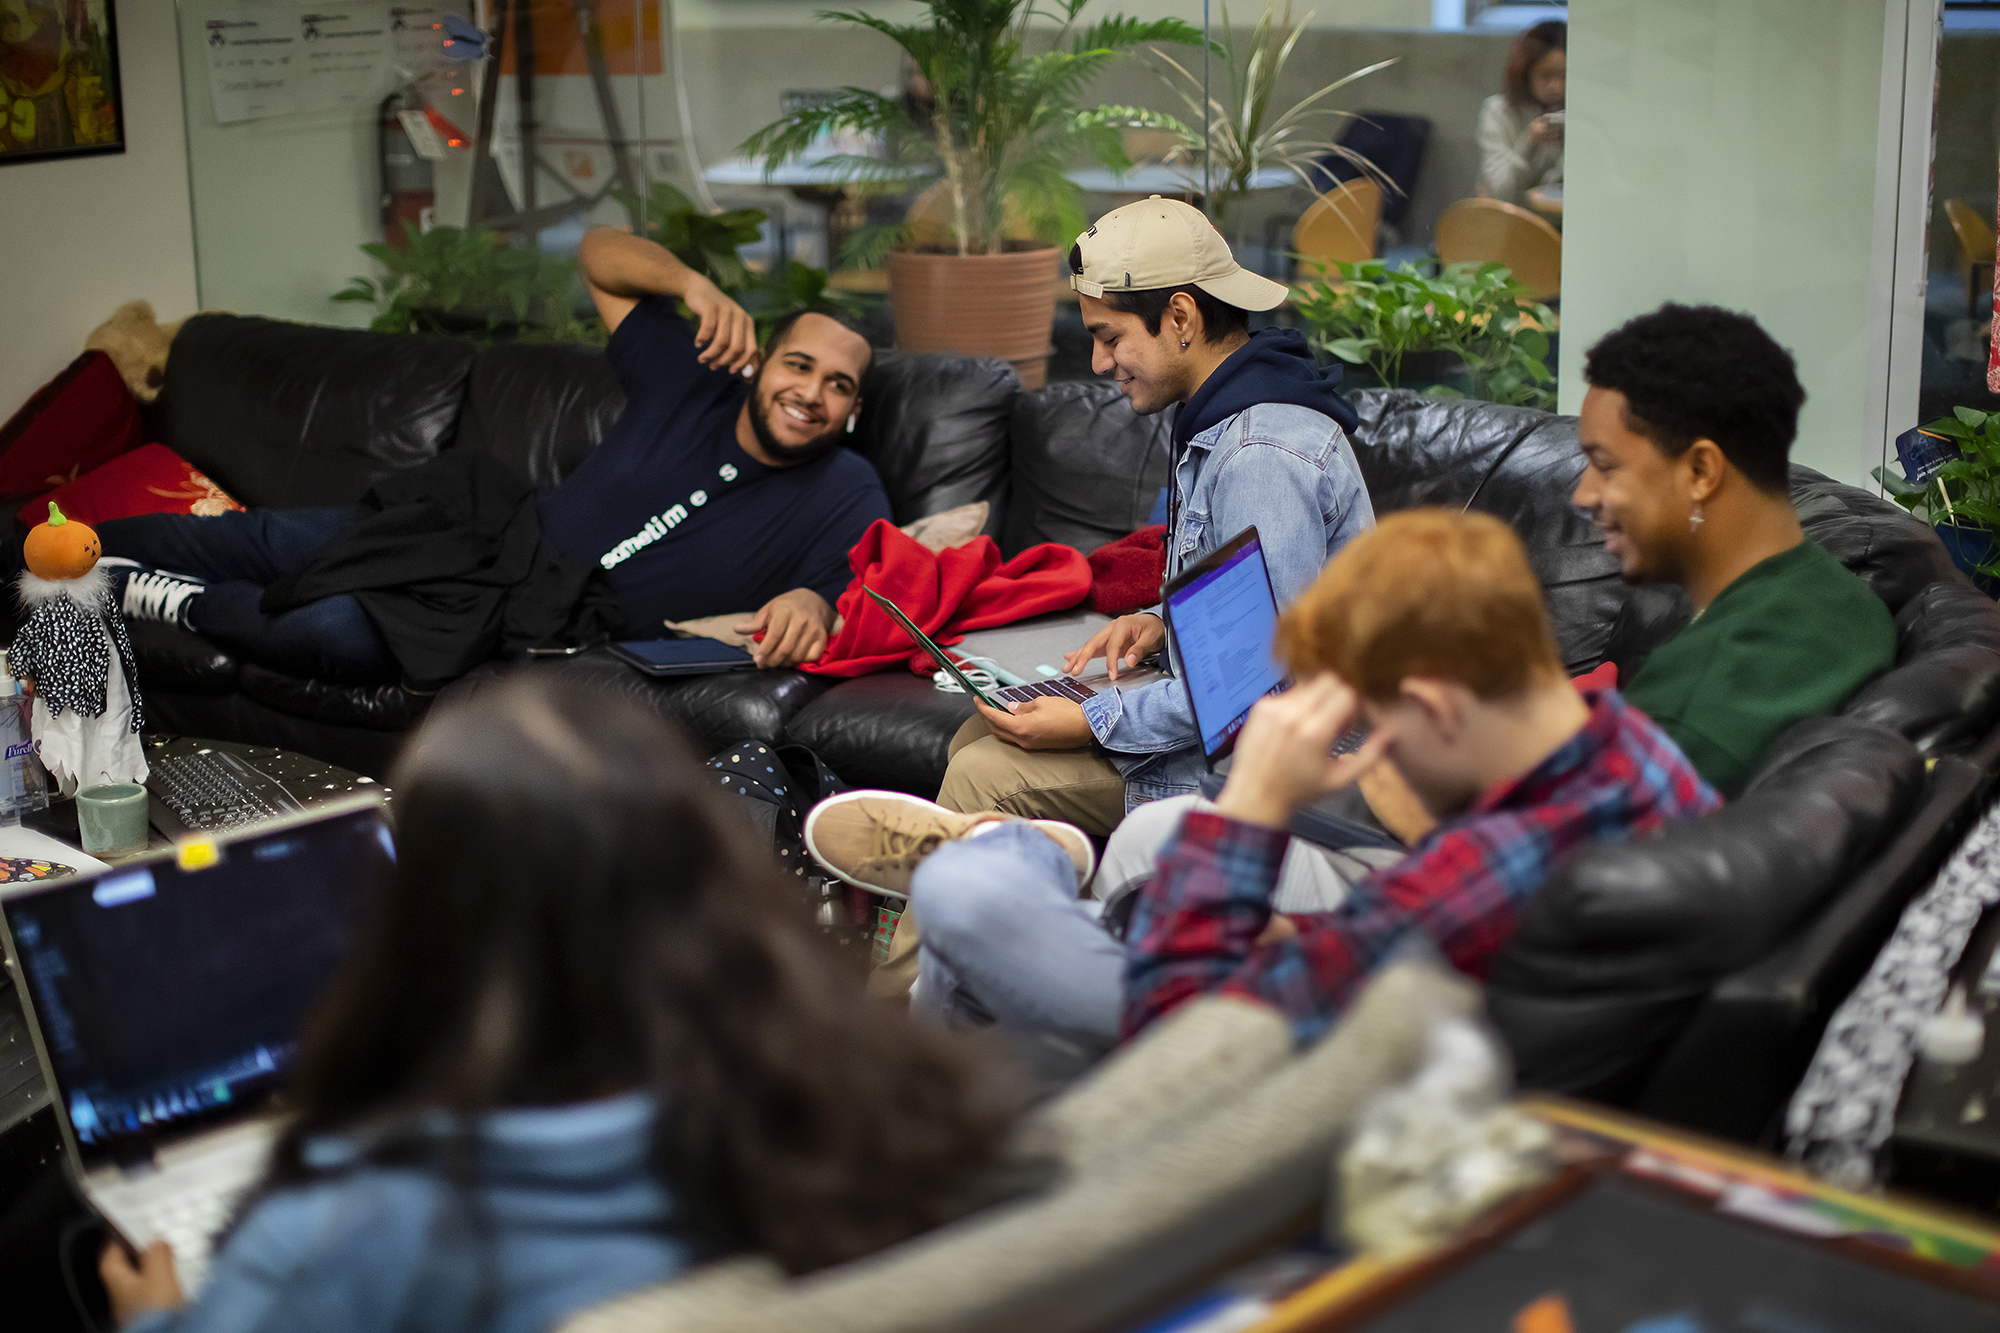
987 774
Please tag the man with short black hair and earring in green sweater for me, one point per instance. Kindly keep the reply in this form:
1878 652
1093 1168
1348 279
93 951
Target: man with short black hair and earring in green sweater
1687 431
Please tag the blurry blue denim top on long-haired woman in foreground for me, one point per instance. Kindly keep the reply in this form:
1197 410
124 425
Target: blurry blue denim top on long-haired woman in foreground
571 1206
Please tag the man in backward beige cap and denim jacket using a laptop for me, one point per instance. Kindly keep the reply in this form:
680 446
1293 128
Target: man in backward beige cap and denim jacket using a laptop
1261 439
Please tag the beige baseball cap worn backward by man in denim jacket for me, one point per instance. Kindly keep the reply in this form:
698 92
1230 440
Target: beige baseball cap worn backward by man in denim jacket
1165 243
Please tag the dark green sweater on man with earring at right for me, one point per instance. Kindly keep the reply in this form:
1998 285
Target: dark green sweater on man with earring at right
1793 637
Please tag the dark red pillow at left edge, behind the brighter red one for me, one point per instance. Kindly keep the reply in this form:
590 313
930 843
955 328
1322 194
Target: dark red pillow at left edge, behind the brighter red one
79 421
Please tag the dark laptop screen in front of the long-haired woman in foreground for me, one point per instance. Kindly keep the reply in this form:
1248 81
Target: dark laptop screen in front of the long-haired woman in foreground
169 998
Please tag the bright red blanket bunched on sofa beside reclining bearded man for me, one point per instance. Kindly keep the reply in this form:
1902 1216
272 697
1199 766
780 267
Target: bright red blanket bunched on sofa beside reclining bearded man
947 593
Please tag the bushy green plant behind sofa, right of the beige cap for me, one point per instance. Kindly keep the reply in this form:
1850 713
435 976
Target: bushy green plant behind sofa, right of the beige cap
1377 315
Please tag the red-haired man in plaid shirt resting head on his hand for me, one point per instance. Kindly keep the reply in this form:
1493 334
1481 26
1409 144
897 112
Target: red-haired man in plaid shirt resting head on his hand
1433 633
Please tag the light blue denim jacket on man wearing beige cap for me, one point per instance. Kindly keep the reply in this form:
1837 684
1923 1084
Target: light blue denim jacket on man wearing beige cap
1285 469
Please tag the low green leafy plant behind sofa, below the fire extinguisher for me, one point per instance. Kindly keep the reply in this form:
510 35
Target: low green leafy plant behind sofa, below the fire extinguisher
473 283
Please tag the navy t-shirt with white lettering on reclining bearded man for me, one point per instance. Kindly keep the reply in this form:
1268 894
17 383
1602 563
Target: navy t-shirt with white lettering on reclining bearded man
687 523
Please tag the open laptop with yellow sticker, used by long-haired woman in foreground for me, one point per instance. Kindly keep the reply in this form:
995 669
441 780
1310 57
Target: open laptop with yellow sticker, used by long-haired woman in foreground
167 996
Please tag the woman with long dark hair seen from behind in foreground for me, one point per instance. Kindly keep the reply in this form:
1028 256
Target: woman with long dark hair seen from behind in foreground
583 1044
